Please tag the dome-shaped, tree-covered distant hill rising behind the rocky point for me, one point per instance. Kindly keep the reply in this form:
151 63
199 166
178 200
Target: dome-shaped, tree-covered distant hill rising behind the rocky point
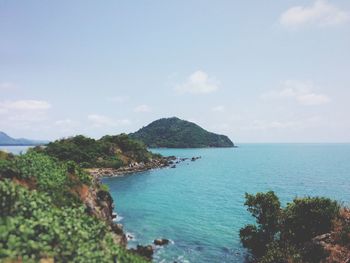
177 133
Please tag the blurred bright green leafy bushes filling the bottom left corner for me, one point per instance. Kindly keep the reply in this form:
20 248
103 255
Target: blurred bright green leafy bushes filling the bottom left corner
32 227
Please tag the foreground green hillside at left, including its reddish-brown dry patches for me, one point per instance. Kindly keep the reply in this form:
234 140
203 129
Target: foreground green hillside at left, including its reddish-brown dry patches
45 213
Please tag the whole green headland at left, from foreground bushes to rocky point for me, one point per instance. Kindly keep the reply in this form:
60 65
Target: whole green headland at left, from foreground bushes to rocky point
70 212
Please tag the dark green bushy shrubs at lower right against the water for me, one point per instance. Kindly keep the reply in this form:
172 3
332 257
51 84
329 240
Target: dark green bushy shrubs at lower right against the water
284 235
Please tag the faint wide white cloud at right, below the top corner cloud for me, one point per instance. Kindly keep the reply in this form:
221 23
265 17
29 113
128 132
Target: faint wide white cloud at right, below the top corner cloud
298 91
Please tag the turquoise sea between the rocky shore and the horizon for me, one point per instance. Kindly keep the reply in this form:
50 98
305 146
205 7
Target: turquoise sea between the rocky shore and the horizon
199 205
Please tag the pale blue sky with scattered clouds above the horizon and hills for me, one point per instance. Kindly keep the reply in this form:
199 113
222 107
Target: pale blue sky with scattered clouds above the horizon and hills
257 71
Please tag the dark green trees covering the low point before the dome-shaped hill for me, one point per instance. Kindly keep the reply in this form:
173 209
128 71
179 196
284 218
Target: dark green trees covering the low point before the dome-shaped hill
107 152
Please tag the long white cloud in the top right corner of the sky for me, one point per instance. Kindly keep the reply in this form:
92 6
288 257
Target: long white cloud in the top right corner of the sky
320 13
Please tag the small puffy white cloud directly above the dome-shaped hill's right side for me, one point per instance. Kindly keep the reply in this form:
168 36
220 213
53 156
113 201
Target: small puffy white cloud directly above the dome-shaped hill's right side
198 82
